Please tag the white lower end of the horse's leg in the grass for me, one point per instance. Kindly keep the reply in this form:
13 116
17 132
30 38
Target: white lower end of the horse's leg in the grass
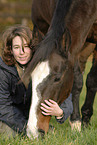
75 125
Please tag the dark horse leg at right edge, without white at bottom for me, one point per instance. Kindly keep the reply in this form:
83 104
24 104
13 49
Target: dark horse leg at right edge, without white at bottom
91 84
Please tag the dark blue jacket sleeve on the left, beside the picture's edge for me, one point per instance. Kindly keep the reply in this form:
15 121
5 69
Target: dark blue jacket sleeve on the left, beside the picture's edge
10 113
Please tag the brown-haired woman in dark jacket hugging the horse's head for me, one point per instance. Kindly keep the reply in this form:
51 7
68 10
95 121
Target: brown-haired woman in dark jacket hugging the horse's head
15 98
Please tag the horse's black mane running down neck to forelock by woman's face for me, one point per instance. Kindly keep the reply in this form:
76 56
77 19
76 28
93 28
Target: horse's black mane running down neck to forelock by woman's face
52 38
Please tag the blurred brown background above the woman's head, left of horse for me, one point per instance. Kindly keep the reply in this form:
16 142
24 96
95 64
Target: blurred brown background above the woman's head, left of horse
14 12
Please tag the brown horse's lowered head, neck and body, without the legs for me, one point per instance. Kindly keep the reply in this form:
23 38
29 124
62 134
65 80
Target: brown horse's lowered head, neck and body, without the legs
66 25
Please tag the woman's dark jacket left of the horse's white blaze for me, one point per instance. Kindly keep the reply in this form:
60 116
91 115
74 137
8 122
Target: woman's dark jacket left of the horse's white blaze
14 98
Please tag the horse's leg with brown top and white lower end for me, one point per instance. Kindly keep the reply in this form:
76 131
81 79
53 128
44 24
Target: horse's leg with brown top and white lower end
78 82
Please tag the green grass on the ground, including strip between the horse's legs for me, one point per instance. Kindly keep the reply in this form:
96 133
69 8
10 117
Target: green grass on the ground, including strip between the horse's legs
62 135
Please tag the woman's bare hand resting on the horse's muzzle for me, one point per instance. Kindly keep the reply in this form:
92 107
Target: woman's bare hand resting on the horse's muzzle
51 108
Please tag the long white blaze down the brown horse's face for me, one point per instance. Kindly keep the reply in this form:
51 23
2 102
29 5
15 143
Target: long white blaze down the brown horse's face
41 71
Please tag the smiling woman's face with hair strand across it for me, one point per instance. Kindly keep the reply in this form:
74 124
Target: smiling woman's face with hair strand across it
21 52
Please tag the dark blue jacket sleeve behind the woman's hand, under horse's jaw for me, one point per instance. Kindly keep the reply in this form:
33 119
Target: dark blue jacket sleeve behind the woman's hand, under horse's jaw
67 108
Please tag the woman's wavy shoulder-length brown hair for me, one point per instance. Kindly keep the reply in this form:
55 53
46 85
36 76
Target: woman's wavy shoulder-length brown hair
9 34
